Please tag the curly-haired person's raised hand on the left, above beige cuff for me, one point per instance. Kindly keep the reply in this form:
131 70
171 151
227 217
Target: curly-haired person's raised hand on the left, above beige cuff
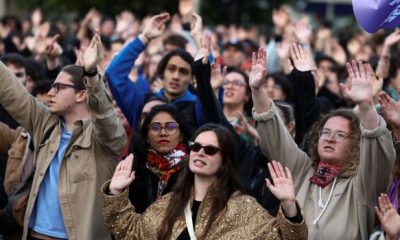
258 69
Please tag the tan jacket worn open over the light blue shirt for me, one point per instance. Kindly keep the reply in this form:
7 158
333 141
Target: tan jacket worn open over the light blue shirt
89 160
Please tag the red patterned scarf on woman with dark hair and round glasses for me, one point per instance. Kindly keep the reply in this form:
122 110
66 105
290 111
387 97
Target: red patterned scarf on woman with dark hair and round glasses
165 165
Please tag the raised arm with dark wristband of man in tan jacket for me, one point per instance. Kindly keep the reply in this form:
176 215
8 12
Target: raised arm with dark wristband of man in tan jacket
107 129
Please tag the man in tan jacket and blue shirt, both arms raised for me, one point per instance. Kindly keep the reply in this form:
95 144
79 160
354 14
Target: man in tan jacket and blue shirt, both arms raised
78 139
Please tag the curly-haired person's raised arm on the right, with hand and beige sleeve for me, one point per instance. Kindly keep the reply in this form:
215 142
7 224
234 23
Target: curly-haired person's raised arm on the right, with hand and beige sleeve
377 153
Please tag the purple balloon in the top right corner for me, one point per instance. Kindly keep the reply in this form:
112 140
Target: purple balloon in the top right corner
375 14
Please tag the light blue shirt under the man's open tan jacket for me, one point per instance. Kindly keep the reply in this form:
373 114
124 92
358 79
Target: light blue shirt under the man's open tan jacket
46 216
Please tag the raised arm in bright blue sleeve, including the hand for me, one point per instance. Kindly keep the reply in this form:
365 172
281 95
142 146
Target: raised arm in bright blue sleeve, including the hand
125 92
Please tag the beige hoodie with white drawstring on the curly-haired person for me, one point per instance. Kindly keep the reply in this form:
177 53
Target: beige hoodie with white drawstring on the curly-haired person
350 213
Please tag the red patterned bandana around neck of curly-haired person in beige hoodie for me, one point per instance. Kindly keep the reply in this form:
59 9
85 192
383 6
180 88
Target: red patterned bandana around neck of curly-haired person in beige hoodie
325 173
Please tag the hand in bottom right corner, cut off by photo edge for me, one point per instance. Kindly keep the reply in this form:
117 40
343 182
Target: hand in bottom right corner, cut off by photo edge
388 217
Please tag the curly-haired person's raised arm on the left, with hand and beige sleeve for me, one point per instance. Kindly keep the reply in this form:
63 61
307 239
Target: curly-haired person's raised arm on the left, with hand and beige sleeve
275 140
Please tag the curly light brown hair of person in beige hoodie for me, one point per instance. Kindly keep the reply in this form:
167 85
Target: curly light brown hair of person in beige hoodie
353 157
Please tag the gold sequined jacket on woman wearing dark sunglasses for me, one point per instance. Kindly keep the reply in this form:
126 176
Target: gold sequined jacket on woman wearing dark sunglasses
244 218
